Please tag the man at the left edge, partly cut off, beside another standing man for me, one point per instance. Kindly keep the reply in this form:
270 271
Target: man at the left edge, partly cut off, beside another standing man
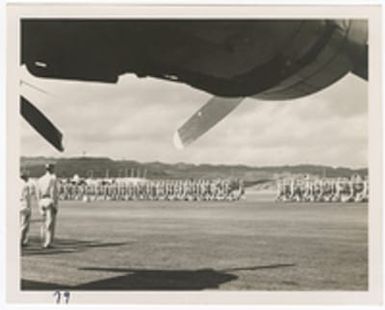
25 210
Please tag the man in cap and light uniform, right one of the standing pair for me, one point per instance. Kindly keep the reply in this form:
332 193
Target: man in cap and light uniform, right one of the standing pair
48 196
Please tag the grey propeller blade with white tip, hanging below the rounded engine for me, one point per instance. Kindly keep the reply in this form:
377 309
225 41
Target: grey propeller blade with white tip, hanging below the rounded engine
205 118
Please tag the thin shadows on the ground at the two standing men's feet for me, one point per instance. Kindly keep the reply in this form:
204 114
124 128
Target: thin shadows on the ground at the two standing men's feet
63 246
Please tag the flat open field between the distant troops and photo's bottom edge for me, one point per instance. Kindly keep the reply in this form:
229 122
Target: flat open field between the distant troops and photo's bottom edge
247 245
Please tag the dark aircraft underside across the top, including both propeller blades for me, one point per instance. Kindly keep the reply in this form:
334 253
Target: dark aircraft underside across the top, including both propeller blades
265 59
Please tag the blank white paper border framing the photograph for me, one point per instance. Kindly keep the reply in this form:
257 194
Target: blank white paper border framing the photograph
372 12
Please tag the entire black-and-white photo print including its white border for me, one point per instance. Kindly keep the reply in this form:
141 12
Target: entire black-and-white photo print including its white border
195 153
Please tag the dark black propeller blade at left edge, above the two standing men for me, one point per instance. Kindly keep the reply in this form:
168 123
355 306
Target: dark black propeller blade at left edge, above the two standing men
41 123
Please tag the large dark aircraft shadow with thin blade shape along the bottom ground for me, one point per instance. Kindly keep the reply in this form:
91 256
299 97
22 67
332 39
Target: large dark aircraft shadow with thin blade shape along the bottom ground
152 279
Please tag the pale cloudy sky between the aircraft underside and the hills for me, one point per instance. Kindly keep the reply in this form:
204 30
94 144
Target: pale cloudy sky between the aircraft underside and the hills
136 119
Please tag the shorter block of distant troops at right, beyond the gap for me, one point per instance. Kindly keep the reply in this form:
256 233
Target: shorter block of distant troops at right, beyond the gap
305 189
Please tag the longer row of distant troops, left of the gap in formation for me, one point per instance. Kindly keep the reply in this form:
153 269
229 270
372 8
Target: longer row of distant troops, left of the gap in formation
178 190
